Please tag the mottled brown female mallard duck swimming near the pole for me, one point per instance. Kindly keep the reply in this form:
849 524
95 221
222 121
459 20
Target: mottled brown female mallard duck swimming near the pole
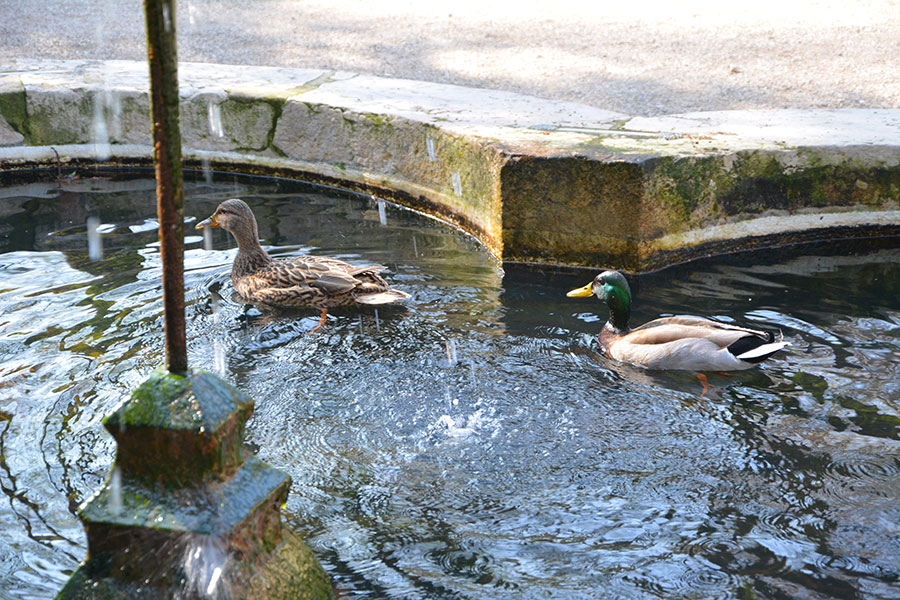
303 281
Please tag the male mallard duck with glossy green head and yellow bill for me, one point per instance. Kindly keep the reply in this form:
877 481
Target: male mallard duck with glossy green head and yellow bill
685 343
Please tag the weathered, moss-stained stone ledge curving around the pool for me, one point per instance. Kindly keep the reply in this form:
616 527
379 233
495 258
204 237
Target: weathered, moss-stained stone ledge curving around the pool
534 180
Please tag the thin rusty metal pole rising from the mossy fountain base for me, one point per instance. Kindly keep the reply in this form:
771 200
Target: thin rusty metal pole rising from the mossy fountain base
163 59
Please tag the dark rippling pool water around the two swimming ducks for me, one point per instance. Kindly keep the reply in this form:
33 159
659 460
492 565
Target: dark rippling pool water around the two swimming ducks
472 444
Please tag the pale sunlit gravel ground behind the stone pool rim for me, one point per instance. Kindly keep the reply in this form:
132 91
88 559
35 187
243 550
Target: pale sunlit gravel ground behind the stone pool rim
639 58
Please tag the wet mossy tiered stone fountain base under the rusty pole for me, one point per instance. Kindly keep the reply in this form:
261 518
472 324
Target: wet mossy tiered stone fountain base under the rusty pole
188 512
